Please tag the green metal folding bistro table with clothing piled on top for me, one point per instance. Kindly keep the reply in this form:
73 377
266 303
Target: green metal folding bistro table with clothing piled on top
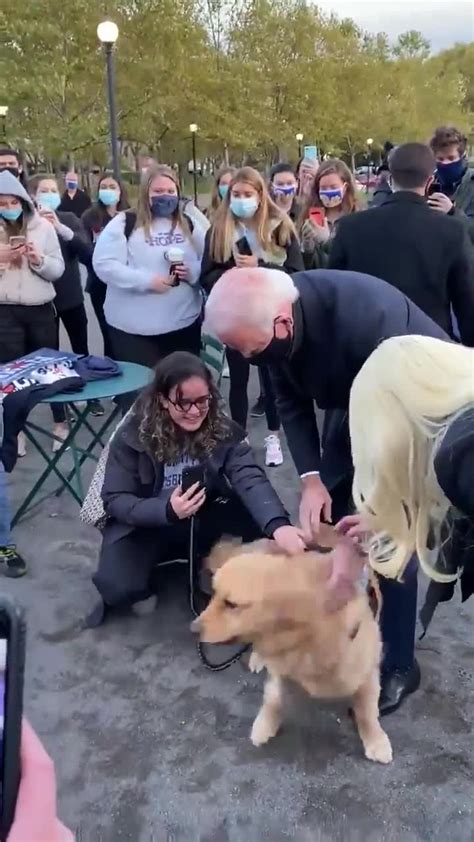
133 378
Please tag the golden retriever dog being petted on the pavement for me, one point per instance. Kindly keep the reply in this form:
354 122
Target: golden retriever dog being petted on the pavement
283 607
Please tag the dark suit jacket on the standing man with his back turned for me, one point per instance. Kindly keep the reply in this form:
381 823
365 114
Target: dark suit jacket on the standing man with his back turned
425 254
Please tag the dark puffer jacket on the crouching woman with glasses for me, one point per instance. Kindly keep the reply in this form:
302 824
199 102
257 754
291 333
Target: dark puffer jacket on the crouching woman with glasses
133 483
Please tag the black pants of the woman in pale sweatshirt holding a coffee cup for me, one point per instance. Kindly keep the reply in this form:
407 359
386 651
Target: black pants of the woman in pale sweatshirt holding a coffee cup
148 350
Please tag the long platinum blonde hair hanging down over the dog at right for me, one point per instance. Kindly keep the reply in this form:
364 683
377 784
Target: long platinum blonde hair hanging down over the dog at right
401 404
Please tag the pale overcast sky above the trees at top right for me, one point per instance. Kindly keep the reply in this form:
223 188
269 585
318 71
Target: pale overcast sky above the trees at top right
442 22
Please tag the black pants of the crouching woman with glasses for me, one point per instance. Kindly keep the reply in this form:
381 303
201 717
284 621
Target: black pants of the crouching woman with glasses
126 564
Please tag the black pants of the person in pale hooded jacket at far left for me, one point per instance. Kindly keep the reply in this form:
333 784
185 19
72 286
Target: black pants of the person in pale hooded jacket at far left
24 329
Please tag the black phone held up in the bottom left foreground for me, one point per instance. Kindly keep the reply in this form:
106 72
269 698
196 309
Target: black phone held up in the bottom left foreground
12 663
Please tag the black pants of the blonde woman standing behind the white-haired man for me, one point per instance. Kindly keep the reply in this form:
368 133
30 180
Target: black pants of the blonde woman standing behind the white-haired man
239 371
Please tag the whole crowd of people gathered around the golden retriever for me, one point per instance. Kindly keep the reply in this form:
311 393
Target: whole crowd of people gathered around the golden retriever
367 314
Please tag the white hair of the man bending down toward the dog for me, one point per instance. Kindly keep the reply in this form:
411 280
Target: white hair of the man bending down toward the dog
250 297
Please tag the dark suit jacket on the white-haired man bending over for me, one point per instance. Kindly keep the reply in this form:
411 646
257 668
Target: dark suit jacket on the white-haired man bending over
340 318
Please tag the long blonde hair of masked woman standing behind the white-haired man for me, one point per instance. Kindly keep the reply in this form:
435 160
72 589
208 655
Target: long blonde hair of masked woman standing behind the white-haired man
274 227
